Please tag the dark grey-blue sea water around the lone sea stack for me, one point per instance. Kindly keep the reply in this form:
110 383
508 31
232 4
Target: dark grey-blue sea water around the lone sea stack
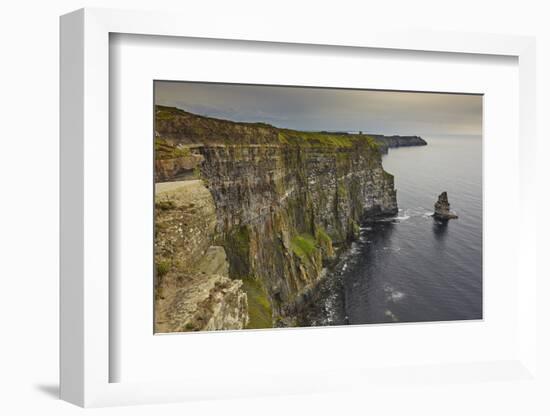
412 268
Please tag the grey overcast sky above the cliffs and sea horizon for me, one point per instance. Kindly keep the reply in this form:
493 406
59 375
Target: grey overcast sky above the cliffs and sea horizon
384 112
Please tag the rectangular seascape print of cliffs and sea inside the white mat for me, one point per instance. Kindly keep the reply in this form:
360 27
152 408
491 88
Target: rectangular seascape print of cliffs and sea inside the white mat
274 207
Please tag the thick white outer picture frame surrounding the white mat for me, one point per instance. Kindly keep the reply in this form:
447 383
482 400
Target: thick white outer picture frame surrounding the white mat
85 212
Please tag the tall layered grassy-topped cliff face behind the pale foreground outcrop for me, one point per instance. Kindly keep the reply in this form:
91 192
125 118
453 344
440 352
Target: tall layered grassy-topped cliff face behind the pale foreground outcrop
285 202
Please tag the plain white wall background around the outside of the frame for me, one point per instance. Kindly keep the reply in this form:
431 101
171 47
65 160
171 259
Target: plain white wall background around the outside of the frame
29 206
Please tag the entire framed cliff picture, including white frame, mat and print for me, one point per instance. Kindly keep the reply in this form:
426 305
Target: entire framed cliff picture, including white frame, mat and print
288 213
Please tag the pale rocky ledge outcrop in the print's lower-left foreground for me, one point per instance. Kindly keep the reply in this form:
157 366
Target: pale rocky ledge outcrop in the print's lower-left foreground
193 288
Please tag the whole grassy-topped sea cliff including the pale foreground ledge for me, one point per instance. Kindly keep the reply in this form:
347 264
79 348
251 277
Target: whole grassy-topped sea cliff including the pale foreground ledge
271 208
